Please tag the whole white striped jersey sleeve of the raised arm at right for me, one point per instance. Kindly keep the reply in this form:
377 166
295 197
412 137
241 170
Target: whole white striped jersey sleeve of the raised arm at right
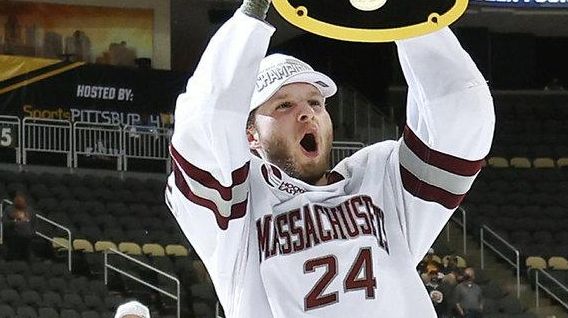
448 133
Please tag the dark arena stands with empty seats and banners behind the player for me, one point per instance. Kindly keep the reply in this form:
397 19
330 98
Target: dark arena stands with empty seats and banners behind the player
86 117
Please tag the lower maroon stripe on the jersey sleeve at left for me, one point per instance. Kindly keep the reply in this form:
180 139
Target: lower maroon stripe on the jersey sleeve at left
238 210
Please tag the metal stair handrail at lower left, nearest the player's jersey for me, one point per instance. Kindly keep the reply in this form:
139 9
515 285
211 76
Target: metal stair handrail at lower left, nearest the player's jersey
108 266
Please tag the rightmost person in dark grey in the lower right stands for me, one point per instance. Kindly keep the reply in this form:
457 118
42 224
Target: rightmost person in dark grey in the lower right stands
468 296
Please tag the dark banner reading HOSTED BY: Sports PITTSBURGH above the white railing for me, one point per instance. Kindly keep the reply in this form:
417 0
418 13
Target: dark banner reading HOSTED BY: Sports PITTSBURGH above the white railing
51 89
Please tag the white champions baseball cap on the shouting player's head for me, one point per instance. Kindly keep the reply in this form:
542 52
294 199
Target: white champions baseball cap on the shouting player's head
277 70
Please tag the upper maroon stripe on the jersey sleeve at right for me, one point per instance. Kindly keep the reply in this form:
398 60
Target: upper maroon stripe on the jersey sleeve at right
438 159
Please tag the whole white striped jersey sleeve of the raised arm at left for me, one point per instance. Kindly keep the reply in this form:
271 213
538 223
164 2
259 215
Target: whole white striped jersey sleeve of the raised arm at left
208 190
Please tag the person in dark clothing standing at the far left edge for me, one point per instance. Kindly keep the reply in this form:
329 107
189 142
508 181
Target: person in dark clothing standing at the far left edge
19 228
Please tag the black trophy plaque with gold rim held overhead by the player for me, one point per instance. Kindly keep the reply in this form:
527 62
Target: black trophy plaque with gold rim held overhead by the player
370 20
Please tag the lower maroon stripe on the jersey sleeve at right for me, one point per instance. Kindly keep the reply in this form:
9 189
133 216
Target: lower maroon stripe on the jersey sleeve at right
428 192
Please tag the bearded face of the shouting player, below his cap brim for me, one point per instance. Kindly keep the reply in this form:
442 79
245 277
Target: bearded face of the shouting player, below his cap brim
293 131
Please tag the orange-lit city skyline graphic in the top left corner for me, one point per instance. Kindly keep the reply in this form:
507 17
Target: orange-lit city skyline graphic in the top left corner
115 36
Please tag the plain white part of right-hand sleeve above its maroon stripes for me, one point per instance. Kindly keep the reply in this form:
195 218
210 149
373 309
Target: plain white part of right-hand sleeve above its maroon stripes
449 104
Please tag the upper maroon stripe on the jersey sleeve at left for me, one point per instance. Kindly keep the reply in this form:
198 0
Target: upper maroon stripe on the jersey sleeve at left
206 179
